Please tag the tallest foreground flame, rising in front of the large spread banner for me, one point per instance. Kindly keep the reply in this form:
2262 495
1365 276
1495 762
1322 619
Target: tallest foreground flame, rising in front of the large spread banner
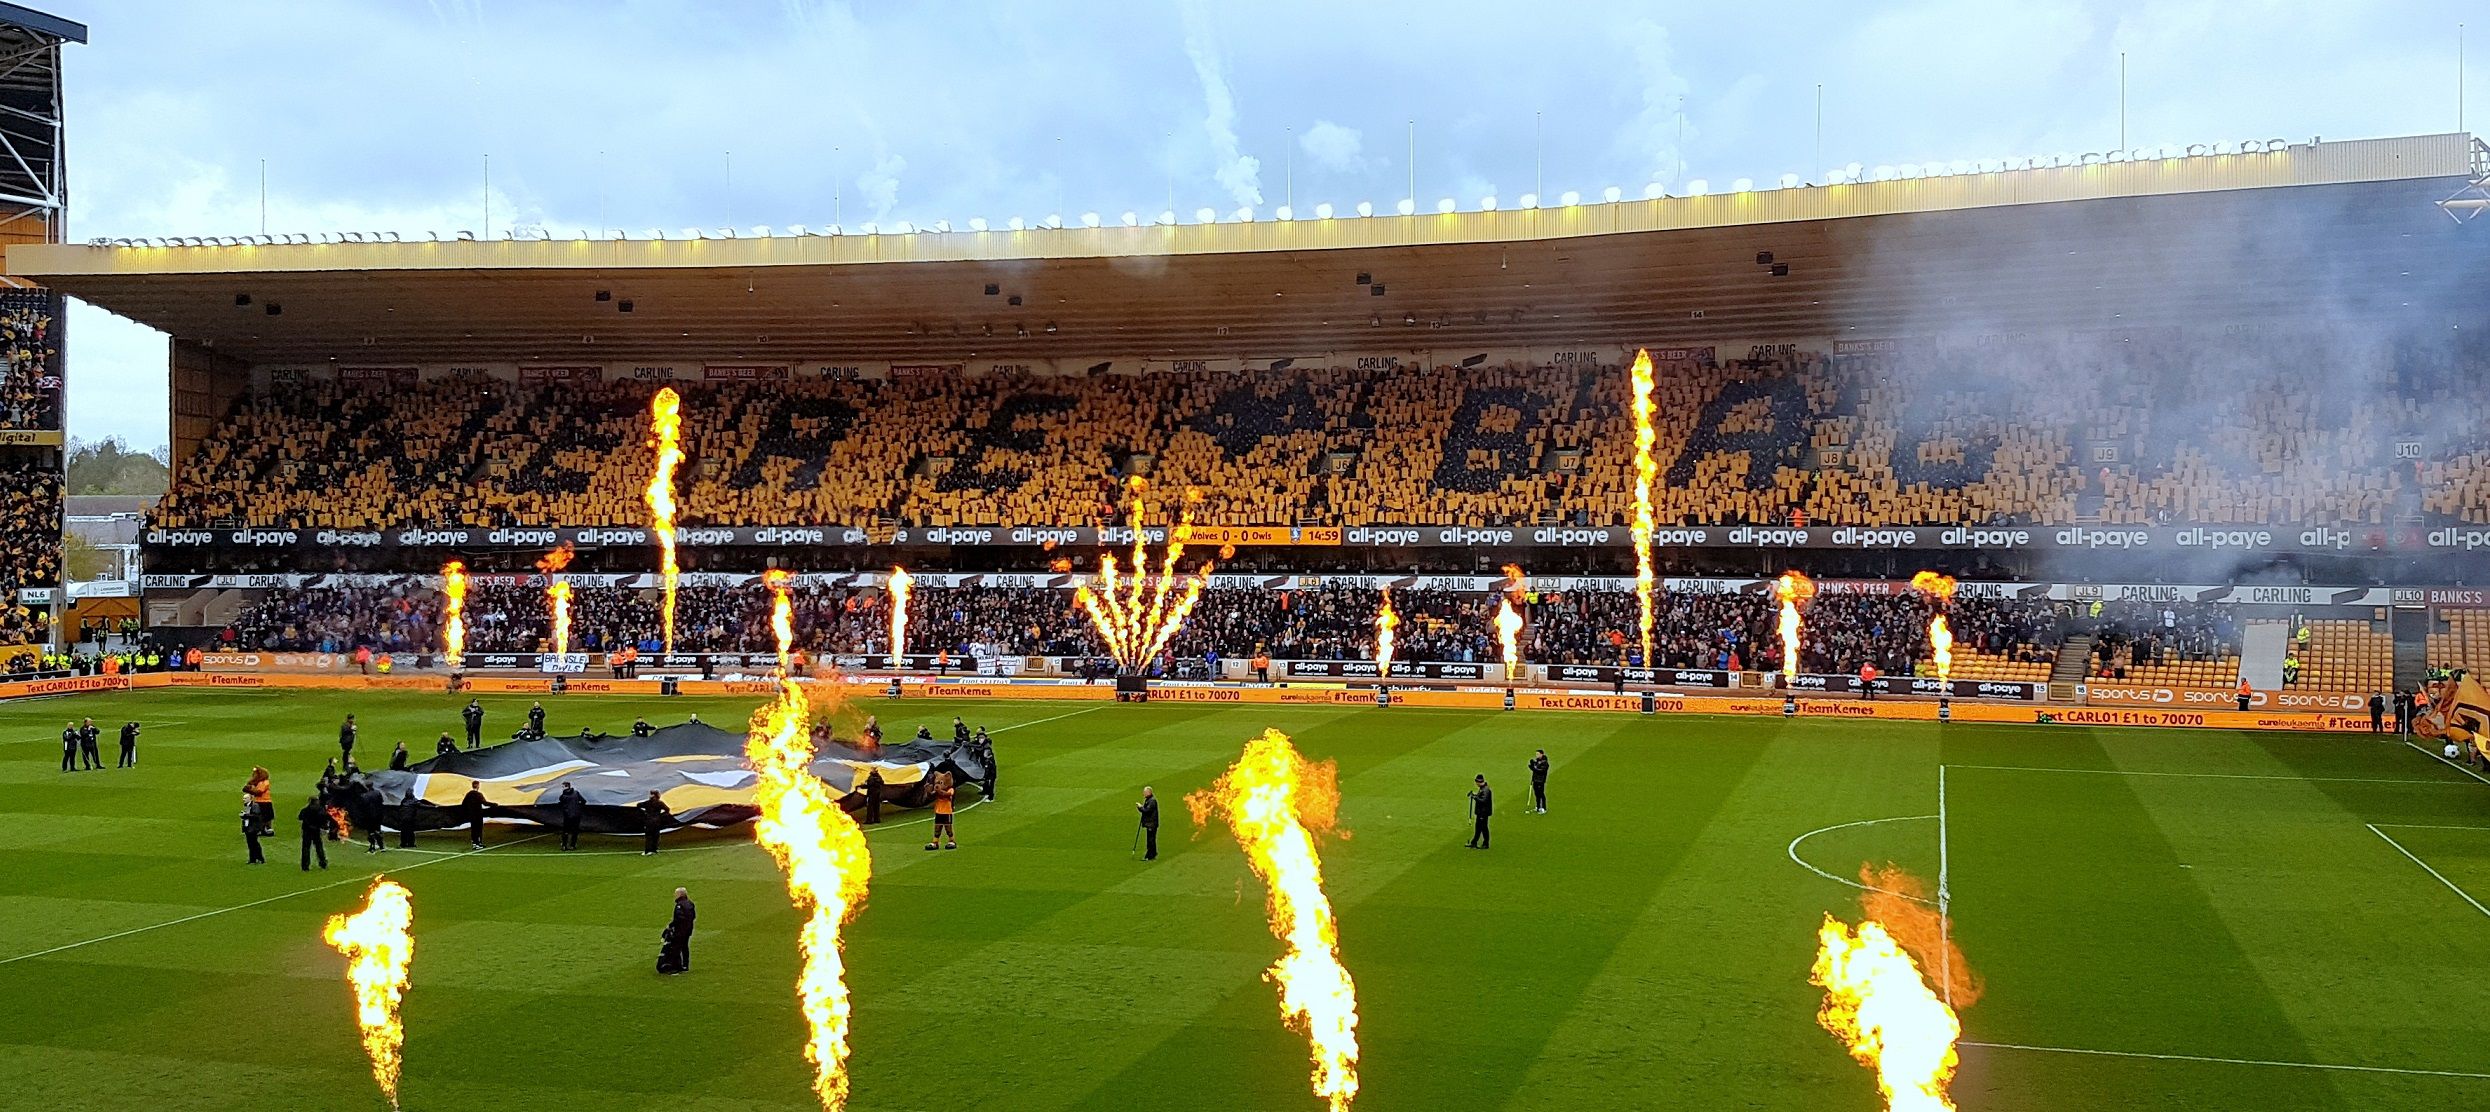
820 850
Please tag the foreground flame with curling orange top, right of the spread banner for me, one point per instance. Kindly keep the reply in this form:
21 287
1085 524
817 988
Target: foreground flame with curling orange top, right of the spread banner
1279 805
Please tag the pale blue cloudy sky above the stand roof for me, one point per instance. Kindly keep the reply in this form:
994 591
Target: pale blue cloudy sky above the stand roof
703 113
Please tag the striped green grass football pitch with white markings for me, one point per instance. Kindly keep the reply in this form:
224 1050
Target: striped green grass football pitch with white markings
2290 919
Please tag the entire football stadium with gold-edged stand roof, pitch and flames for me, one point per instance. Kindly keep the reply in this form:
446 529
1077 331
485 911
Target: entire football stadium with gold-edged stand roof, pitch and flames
1993 636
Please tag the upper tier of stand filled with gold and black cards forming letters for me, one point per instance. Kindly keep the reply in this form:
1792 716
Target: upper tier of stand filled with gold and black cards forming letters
1884 439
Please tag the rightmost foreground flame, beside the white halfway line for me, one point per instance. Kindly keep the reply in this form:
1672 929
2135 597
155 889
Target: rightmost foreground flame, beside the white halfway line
1884 1011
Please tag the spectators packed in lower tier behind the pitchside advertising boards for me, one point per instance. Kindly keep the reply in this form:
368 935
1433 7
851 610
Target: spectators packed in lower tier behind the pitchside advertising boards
1231 623
